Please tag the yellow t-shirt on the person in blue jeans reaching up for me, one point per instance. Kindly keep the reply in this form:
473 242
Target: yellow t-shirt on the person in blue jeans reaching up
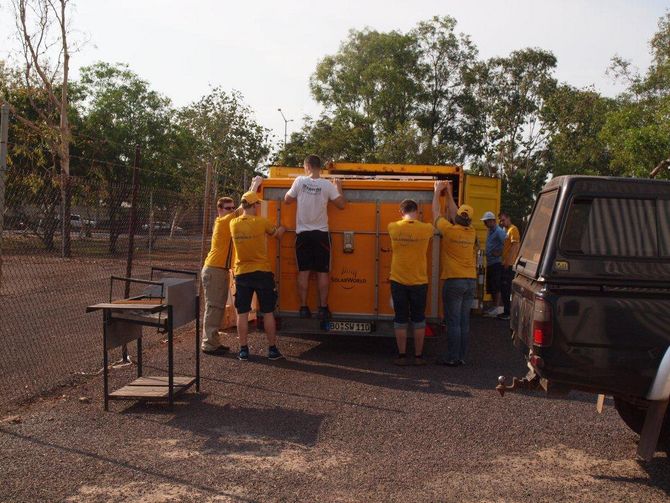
457 253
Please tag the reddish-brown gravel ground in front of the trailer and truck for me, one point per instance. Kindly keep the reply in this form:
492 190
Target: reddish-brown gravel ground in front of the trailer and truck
335 421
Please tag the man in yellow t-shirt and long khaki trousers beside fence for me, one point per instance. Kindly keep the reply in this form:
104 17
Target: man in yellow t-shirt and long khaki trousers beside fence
215 274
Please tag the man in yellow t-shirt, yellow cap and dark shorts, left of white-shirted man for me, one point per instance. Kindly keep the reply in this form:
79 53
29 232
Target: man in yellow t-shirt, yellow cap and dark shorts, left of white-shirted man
253 273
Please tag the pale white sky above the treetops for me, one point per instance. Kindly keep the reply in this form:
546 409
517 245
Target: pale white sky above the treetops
267 50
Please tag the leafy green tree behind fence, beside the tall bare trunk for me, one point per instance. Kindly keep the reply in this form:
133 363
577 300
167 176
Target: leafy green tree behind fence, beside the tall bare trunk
121 111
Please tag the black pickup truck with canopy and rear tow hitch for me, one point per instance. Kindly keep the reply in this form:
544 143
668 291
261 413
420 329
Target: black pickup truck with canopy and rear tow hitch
591 297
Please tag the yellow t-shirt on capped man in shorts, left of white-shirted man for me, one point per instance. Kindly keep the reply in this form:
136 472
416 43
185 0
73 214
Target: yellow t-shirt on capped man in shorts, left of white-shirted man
250 243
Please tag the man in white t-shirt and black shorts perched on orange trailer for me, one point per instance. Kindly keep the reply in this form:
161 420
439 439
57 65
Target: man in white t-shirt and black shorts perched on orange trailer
312 243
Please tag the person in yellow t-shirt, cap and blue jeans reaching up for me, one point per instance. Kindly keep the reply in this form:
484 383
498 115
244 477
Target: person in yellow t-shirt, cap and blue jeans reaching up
458 270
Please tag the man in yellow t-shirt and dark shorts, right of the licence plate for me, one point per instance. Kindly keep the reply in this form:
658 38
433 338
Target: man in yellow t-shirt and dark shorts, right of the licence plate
409 279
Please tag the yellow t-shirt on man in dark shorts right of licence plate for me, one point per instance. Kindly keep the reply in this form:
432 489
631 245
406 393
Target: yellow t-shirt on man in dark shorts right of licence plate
409 242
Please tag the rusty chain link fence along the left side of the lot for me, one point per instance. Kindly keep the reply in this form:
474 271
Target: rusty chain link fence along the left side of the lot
46 339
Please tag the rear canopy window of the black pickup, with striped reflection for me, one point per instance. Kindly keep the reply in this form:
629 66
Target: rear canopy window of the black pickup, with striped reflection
613 227
